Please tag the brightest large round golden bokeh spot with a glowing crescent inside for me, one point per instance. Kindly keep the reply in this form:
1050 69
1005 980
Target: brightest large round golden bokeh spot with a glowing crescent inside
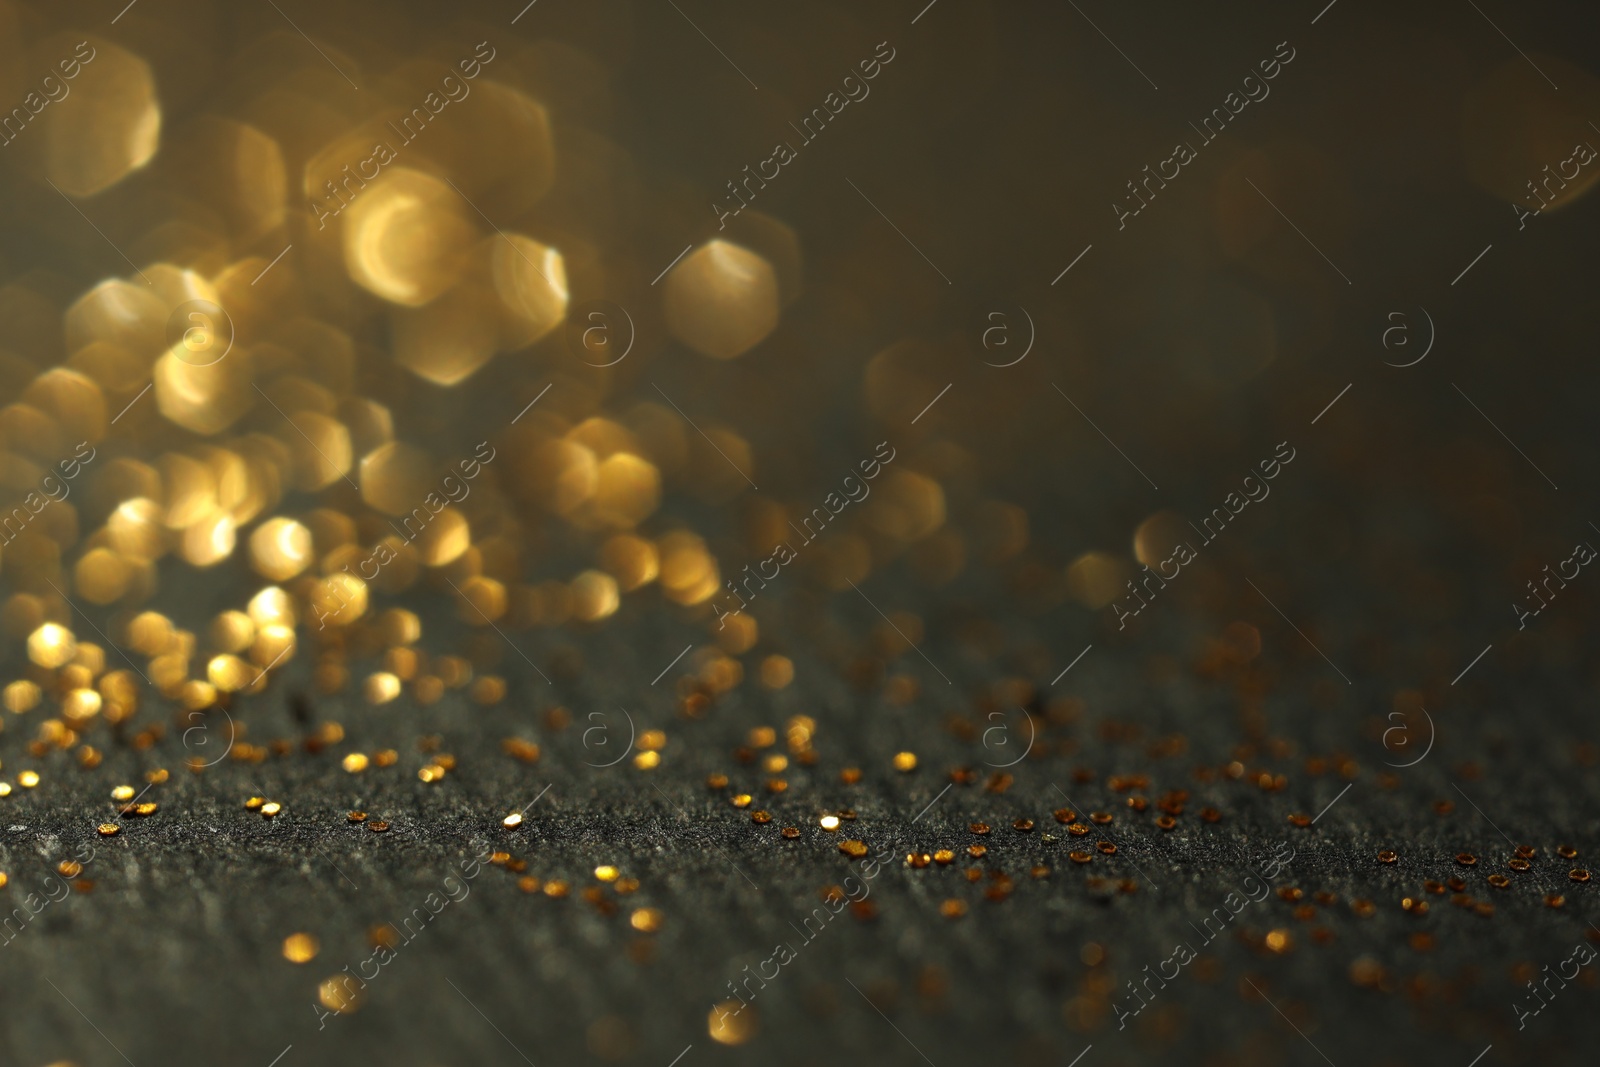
406 238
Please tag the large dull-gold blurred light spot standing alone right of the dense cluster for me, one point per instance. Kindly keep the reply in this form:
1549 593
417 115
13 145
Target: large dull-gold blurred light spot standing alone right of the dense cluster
722 300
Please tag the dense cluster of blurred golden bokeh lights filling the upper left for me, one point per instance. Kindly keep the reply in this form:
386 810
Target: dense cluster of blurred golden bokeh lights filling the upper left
258 351
